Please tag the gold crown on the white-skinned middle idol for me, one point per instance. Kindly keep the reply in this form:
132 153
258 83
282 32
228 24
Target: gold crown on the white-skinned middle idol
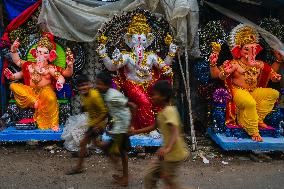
139 25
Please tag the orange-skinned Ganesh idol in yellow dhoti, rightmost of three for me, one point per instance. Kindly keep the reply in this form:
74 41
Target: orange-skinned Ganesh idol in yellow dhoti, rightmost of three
246 78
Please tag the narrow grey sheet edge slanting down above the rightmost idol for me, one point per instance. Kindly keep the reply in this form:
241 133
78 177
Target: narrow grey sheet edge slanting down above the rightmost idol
272 40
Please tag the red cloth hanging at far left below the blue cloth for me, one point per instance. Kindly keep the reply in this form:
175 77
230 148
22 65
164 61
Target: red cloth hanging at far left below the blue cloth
14 24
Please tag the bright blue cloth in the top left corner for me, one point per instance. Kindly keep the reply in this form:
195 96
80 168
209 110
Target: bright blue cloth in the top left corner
16 7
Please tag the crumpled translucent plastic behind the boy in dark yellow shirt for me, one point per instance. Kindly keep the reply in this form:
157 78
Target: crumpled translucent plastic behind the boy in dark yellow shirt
74 130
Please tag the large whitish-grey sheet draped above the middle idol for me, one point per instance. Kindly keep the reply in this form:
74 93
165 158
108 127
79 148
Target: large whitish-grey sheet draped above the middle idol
80 22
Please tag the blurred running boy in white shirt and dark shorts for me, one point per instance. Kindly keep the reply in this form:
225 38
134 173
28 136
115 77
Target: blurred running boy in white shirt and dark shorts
118 107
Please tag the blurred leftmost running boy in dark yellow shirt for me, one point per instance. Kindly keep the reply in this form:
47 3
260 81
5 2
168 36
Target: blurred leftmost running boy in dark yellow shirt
94 105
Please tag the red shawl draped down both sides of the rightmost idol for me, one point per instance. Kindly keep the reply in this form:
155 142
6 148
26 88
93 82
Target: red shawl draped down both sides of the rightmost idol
231 109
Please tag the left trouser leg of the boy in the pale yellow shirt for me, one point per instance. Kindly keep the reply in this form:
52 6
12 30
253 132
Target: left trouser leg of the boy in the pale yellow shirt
152 175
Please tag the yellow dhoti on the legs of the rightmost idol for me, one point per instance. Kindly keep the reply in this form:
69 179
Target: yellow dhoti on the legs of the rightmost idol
252 107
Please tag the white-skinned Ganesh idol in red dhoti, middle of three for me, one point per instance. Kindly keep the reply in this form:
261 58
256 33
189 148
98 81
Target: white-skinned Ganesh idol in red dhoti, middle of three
138 67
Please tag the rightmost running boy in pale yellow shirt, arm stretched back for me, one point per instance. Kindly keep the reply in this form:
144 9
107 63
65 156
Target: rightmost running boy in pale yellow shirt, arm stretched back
174 150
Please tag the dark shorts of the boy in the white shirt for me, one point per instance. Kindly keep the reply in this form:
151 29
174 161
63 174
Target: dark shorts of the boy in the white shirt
118 145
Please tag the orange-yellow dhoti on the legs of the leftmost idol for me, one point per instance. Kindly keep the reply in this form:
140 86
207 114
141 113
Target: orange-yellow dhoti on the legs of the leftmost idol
47 114
